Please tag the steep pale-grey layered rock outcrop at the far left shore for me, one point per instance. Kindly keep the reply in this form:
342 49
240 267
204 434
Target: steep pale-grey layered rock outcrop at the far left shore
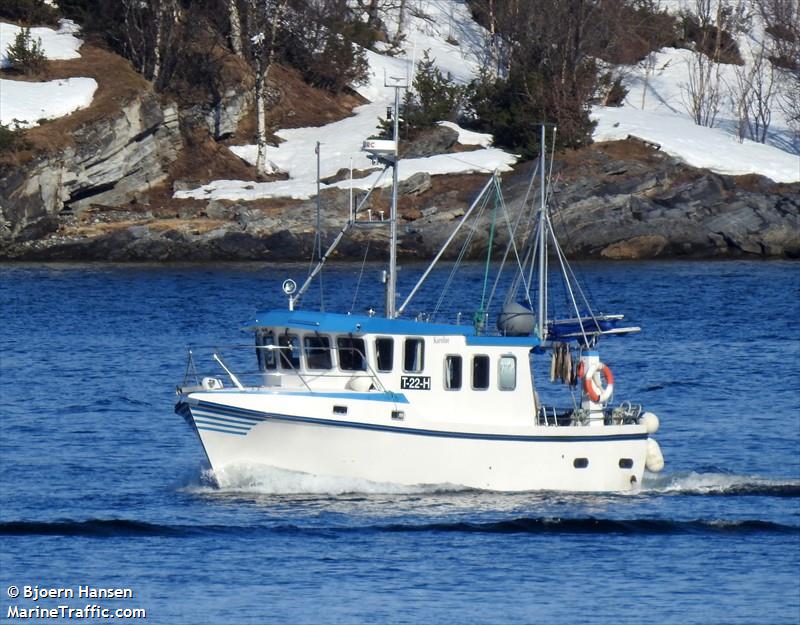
109 162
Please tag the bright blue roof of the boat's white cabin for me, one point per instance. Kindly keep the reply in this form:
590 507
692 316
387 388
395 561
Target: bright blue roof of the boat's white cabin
363 324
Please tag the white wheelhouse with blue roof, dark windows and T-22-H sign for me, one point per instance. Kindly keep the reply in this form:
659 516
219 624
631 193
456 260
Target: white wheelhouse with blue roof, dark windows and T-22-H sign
361 353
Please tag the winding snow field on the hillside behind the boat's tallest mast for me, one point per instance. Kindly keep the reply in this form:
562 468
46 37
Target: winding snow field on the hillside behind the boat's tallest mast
341 141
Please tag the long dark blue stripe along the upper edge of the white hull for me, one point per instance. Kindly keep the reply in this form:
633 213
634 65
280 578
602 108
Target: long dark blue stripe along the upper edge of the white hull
546 438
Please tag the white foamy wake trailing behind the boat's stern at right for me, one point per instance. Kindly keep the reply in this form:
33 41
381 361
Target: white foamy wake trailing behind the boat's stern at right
718 483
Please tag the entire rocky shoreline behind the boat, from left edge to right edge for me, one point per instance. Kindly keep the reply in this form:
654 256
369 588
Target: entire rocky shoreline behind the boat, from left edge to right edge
108 197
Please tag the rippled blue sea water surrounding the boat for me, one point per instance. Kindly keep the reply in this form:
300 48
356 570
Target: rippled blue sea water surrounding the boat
102 485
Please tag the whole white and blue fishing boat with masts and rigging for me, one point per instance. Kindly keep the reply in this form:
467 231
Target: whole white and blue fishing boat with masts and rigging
416 400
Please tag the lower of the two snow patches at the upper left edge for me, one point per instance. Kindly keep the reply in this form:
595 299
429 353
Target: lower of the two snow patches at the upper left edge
28 102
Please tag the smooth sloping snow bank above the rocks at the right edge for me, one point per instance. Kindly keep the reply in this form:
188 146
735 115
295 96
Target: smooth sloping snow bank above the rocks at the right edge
697 146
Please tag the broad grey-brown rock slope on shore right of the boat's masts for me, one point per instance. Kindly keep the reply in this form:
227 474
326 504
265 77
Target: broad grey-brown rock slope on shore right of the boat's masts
653 206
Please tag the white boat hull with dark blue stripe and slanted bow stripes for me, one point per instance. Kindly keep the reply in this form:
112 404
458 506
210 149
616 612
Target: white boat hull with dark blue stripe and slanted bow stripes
300 434
